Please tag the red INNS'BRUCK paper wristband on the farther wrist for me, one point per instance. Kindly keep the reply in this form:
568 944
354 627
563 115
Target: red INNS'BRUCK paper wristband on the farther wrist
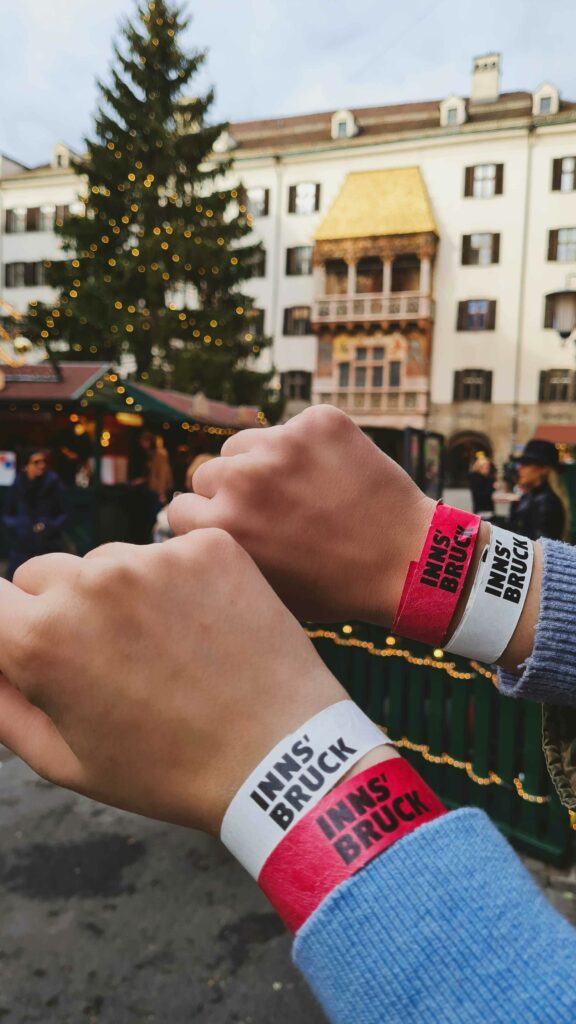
435 583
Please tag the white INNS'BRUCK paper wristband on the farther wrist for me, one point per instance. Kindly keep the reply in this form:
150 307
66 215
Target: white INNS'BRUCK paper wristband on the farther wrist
497 600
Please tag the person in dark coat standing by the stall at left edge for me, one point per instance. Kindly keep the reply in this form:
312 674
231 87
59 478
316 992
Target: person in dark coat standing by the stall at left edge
35 514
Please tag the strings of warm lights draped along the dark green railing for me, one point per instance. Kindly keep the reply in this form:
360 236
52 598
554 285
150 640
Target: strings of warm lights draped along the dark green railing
435 662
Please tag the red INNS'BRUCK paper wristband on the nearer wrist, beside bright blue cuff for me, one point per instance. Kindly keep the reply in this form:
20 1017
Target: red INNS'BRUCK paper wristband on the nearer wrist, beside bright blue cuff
350 827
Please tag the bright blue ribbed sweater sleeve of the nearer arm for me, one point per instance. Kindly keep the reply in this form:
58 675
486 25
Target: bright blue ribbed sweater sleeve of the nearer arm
446 927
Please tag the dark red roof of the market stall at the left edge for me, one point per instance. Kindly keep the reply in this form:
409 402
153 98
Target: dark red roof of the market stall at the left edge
45 383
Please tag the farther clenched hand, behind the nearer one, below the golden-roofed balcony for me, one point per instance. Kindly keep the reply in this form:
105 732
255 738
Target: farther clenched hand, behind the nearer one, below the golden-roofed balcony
330 519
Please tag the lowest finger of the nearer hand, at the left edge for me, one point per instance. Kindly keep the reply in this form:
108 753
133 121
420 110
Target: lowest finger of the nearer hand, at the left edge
29 733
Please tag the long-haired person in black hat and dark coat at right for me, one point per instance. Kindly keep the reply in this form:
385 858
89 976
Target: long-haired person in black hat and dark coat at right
541 511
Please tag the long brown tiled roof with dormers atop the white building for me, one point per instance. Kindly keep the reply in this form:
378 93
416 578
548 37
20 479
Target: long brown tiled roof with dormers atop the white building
305 131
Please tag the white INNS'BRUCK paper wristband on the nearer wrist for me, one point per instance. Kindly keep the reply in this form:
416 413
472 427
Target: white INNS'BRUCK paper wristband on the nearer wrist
293 779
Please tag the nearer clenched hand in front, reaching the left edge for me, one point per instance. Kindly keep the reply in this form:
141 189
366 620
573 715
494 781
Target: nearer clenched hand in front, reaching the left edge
153 678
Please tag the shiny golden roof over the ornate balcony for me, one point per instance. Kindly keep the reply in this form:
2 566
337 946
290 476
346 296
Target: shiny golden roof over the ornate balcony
373 204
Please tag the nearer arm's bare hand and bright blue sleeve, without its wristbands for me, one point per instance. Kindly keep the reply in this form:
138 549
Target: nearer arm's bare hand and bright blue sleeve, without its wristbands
446 920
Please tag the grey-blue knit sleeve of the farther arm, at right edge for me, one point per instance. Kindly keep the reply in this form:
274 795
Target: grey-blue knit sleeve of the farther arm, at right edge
550 674
